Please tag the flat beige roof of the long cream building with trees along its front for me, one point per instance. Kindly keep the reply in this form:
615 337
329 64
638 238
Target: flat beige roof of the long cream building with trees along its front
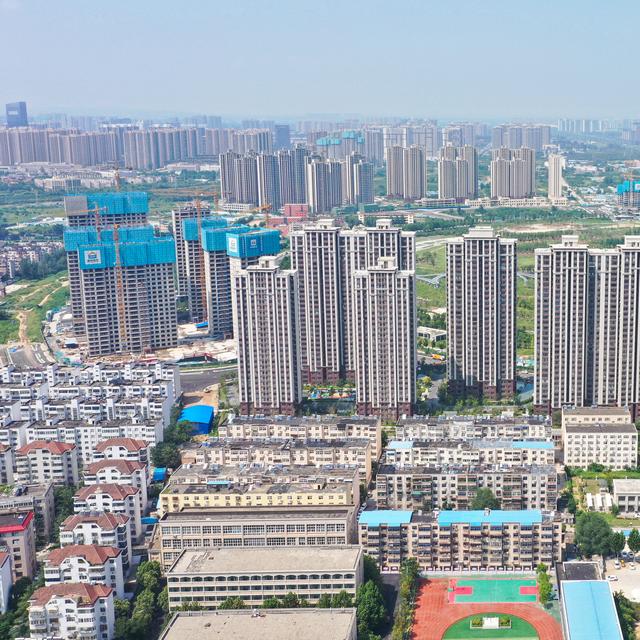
230 560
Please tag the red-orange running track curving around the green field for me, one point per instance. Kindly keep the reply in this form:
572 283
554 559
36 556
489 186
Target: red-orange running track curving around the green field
434 615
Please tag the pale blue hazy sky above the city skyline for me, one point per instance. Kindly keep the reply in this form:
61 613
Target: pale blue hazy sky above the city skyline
457 58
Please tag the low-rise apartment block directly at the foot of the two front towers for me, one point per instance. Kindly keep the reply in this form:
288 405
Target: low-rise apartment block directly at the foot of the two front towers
308 427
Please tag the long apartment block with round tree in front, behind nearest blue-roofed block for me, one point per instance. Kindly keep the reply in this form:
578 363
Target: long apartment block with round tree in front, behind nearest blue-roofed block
455 486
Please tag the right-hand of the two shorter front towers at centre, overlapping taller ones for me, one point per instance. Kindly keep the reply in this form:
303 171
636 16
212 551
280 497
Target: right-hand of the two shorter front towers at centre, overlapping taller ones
385 351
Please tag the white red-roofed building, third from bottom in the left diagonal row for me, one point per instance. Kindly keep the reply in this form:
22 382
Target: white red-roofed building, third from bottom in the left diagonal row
99 528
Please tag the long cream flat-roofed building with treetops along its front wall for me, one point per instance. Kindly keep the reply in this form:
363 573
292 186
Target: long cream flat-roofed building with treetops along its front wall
210 577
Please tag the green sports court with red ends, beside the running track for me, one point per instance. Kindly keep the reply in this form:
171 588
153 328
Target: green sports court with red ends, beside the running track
497 590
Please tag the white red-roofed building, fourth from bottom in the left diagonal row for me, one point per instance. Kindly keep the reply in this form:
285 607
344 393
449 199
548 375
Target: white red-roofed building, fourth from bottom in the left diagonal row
112 498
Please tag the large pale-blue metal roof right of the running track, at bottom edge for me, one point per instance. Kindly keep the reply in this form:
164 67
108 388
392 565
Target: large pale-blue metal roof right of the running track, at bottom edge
590 611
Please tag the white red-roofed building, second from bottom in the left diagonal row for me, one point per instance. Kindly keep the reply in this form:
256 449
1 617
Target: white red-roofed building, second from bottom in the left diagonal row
88 563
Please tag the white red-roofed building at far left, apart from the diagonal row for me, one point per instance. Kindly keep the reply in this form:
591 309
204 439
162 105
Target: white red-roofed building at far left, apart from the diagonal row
43 461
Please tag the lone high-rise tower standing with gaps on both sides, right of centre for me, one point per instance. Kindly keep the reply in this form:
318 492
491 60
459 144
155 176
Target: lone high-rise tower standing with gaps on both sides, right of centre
481 310
